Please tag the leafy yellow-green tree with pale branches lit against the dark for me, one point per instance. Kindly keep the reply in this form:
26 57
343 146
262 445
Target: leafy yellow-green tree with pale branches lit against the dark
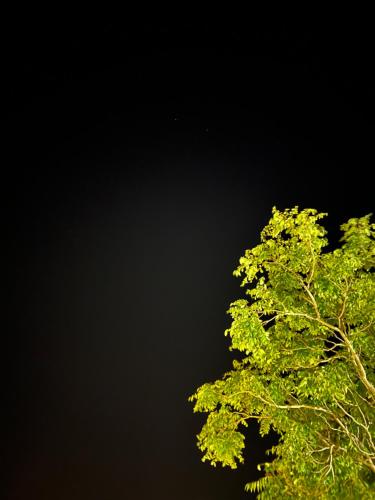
306 334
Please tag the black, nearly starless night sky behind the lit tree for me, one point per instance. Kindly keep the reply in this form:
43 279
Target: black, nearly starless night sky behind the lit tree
138 164
